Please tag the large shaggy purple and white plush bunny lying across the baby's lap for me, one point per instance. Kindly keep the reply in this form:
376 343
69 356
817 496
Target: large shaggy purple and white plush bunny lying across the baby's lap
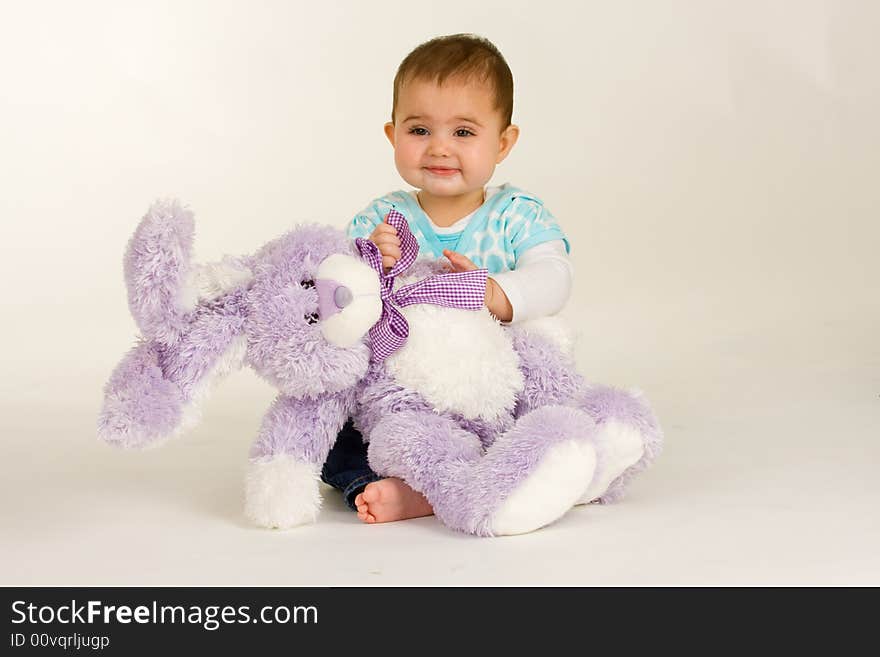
491 423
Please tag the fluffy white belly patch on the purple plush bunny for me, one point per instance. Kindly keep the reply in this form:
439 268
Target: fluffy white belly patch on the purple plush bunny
460 361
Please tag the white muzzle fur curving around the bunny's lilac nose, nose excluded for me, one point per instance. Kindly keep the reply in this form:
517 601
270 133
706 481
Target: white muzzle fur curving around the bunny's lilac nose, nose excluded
347 327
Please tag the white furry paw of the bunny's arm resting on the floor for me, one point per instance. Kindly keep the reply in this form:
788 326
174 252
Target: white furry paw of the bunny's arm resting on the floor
282 492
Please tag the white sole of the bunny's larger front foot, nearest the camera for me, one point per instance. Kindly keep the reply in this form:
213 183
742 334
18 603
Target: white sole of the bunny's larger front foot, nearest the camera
549 491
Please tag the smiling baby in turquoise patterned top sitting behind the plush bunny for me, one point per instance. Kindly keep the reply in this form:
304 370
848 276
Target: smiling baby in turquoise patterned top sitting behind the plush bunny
450 127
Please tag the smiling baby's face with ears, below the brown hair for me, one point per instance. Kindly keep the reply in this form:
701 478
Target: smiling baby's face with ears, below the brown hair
448 139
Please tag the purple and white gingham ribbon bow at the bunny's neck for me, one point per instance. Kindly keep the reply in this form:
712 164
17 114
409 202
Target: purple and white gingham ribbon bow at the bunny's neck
466 289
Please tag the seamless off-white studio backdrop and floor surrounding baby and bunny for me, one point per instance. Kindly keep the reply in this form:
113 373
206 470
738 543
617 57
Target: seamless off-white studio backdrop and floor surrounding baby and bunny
714 164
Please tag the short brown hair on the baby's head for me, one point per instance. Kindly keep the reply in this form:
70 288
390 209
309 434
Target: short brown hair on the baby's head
465 56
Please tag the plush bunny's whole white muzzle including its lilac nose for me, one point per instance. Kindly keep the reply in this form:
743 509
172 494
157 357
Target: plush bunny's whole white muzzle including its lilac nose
348 299
